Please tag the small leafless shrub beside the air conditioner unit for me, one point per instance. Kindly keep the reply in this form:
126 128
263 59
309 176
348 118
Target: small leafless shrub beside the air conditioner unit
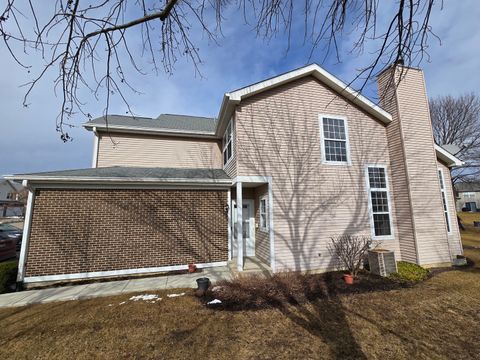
350 250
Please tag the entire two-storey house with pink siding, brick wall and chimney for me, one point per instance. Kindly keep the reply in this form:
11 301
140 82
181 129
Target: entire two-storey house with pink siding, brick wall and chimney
288 163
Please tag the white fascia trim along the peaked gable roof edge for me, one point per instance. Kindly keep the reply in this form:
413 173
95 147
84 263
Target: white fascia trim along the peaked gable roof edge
324 76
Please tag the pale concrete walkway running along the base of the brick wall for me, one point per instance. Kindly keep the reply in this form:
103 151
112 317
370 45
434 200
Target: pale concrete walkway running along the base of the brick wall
100 289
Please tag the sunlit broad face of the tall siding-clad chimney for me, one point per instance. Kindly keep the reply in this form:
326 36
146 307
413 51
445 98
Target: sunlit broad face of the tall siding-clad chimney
411 102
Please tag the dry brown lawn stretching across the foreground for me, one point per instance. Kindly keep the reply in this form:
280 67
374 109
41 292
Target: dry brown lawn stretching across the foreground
436 319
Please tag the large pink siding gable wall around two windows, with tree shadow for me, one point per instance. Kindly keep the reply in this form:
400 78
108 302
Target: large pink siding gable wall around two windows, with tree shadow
278 135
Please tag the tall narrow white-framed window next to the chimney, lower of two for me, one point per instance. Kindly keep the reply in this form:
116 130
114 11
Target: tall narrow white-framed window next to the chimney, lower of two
379 202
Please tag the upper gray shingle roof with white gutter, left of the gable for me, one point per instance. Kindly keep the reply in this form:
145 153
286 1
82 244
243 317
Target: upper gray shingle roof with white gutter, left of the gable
167 122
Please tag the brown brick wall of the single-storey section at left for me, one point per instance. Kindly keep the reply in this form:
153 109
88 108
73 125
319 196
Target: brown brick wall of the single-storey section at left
76 231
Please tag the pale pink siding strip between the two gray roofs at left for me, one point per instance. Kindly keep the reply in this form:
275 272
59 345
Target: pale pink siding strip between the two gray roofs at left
158 151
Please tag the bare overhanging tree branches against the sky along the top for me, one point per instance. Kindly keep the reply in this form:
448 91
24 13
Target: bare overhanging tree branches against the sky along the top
82 38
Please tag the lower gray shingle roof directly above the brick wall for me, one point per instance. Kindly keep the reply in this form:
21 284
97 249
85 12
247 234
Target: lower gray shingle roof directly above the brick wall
130 173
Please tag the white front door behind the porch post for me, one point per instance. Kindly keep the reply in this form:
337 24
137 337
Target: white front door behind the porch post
248 216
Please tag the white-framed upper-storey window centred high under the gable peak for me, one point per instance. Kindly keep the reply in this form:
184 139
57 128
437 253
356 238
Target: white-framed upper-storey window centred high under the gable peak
334 140
